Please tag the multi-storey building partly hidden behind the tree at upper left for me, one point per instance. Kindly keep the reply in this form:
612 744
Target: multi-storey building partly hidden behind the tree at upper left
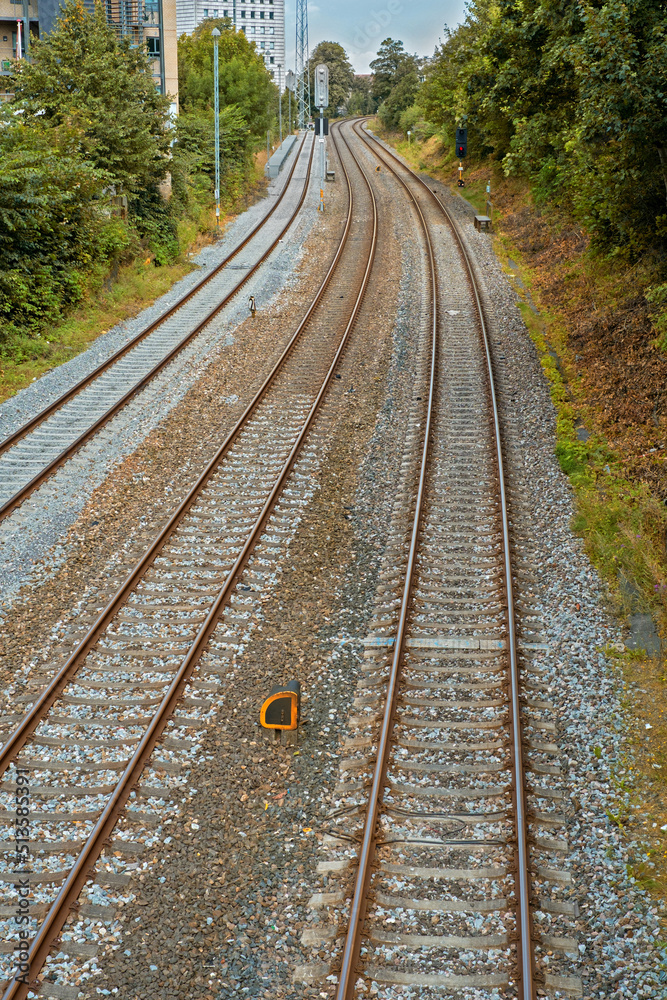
150 23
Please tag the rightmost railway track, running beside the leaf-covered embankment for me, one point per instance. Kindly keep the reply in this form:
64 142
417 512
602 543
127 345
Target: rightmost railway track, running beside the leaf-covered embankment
445 871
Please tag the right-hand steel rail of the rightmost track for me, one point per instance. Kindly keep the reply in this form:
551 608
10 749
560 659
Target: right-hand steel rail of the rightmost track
526 984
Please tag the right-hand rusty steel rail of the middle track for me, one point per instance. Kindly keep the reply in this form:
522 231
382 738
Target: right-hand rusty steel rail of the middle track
81 870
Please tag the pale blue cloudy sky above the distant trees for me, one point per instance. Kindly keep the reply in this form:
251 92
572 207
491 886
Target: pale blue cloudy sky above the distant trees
360 25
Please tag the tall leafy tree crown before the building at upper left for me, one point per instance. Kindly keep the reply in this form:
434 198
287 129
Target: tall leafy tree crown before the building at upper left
84 76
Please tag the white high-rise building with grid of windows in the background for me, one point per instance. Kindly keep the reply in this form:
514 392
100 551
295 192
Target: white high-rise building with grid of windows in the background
263 22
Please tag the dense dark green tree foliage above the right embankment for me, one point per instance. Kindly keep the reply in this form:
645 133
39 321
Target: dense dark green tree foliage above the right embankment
572 96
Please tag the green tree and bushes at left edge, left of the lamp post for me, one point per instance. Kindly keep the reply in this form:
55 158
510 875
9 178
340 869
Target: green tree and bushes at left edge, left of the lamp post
85 121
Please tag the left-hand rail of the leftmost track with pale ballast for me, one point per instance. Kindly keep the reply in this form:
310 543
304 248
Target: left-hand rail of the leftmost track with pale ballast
24 429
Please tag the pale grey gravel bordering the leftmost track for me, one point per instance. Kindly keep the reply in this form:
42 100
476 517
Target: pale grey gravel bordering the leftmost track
41 522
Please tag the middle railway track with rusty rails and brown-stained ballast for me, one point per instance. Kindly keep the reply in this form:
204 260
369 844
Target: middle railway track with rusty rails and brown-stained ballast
116 708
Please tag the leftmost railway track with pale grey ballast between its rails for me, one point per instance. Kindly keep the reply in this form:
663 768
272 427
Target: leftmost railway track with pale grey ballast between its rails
34 451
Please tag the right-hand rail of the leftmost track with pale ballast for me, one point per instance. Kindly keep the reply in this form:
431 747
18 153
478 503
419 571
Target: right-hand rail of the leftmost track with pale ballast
67 453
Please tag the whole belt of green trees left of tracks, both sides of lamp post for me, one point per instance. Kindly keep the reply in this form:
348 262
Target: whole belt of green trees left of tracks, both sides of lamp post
87 124
